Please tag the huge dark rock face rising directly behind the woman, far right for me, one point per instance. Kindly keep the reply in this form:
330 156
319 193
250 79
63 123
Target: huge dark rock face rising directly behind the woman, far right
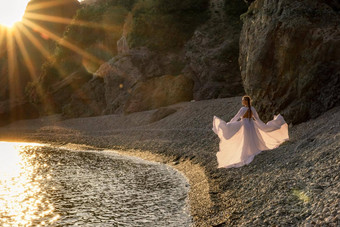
290 57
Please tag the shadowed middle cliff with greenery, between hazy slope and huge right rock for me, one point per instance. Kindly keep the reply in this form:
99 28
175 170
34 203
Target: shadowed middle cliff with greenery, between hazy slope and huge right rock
148 77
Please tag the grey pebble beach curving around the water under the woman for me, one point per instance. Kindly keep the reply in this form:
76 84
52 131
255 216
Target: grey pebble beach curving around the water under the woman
296 184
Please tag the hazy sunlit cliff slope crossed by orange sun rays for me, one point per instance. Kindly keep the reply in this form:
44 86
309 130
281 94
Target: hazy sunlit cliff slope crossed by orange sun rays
92 35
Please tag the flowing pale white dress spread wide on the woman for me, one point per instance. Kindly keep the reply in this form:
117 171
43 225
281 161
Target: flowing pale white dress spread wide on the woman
241 140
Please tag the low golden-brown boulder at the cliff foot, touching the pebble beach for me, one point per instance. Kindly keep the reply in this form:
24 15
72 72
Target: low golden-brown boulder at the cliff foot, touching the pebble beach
159 92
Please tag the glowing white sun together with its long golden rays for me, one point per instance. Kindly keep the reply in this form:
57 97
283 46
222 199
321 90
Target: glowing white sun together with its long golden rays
21 30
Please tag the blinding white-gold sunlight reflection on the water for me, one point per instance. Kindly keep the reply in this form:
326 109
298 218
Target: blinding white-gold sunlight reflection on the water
22 202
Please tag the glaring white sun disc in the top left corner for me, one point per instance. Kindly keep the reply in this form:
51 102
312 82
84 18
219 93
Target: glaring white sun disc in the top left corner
12 11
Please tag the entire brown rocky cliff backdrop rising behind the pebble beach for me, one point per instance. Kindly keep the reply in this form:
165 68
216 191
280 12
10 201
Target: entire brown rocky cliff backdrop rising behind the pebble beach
285 55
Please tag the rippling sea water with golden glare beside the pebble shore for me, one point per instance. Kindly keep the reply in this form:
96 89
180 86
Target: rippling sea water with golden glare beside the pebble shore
45 185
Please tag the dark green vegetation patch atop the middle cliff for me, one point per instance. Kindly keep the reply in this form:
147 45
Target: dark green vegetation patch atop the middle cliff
164 25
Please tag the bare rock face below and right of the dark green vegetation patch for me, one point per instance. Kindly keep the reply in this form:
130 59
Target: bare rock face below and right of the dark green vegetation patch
139 79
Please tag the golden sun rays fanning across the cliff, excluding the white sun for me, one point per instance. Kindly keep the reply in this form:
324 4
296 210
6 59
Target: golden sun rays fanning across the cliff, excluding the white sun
17 42
